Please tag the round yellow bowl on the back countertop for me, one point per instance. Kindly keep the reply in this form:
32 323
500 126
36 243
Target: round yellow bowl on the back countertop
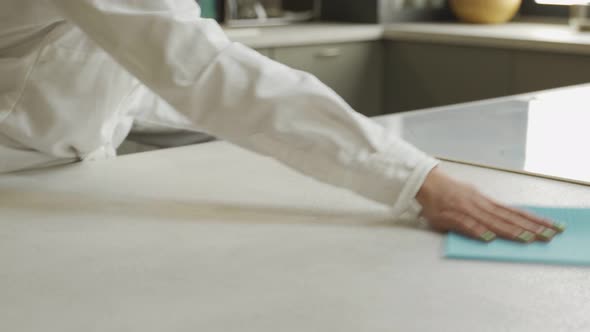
485 11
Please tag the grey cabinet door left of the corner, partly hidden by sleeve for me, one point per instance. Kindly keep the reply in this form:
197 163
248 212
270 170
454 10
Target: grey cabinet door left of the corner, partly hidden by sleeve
353 70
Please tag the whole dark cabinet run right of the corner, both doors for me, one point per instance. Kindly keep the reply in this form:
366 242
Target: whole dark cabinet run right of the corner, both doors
421 75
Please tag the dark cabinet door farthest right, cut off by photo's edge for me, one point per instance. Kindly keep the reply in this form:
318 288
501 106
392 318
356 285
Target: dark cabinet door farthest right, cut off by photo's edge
539 70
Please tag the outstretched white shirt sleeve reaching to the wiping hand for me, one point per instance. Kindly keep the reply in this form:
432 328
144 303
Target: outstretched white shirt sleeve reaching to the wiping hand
232 92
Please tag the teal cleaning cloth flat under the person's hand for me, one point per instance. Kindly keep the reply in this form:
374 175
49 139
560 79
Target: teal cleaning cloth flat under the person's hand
572 247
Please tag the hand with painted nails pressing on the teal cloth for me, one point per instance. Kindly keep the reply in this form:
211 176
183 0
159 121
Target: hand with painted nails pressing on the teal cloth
449 205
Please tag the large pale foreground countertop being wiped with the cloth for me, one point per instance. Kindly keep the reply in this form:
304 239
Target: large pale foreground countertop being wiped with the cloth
213 238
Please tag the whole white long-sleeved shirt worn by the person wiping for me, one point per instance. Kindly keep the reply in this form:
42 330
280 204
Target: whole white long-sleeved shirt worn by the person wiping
76 74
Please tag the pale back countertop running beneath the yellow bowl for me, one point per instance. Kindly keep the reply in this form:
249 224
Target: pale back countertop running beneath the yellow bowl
519 35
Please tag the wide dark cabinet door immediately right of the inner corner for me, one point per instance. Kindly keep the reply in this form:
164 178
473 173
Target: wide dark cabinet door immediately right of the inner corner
420 75
